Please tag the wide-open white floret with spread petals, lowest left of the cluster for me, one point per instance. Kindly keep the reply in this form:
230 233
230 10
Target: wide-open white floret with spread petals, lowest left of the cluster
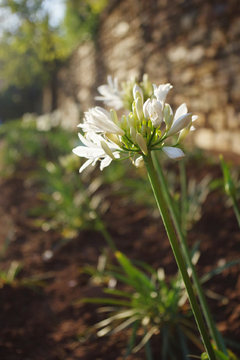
93 151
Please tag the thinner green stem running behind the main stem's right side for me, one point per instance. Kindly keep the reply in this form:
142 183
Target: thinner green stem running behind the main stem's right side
216 336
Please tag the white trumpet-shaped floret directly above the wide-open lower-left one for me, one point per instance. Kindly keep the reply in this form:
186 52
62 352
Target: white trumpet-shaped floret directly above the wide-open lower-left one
99 120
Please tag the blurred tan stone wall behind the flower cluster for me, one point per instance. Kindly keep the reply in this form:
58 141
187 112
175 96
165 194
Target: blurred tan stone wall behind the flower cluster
193 44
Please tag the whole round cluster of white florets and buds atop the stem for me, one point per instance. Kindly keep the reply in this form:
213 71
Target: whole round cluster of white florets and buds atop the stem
144 129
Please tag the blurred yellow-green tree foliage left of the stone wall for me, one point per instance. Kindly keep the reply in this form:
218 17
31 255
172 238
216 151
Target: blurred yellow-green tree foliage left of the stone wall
33 49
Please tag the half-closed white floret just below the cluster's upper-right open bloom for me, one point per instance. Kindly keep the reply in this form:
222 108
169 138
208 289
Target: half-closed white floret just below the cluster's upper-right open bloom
153 110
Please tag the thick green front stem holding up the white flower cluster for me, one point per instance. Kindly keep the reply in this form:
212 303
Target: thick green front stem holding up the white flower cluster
177 253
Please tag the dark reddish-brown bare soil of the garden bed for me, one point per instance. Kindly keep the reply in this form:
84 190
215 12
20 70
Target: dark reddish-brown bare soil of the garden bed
45 324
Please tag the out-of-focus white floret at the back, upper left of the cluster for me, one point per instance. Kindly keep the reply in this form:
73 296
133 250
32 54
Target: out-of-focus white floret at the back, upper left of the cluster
111 96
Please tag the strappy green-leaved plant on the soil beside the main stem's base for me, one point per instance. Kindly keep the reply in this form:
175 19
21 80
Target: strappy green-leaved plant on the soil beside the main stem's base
149 305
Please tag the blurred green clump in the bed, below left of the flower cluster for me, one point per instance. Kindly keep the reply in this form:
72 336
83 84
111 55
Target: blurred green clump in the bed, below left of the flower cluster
66 203
